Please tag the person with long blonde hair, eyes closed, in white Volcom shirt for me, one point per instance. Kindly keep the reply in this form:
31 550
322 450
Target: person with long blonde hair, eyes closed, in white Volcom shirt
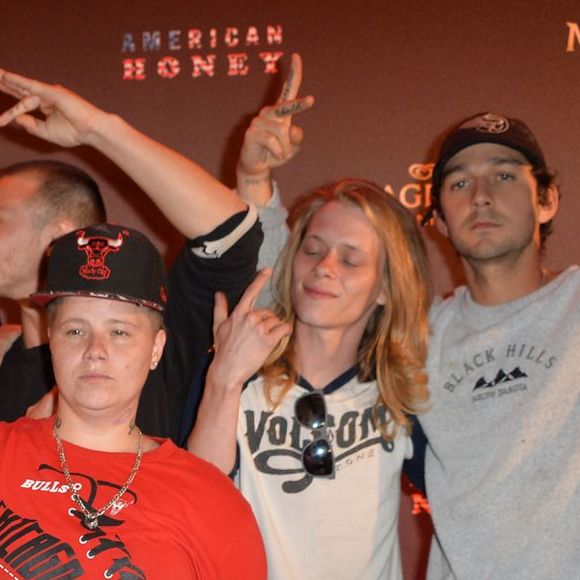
309 403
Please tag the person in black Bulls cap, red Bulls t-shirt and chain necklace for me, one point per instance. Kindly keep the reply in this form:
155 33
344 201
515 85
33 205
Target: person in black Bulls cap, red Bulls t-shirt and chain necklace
116 502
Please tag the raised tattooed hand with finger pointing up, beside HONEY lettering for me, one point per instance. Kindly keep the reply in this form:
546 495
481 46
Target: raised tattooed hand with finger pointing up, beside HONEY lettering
272 140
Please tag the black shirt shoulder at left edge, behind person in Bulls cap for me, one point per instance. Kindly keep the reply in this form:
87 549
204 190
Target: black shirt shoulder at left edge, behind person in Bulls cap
25 376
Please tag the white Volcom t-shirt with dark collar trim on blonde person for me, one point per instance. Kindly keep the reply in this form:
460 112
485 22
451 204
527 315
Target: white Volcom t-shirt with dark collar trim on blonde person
320 528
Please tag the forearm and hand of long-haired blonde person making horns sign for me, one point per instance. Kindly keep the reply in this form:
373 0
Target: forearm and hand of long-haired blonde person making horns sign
243 341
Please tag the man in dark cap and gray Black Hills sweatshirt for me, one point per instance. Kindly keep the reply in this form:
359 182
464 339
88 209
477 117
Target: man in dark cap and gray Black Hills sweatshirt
503 461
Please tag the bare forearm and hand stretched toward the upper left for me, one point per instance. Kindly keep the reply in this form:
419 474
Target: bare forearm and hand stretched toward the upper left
194 201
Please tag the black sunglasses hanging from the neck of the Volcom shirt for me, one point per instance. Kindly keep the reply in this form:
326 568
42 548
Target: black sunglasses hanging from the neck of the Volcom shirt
317 457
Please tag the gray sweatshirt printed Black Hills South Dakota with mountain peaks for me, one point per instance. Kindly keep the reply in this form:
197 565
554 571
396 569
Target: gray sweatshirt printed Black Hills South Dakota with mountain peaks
503 466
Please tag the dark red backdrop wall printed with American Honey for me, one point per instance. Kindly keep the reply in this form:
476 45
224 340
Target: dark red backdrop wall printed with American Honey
389 79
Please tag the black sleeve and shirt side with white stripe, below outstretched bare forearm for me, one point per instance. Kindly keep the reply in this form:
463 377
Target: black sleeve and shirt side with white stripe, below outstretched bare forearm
193 282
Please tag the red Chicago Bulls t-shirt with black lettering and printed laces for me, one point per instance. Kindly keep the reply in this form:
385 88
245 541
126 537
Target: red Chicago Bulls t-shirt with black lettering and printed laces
181 518
